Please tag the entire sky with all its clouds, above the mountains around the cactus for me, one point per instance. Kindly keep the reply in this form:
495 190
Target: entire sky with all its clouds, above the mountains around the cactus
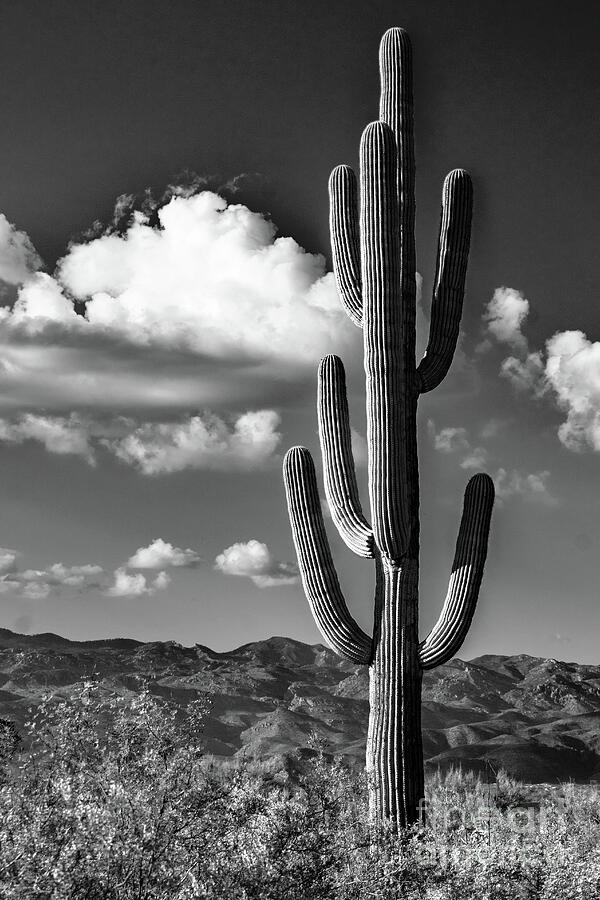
166 295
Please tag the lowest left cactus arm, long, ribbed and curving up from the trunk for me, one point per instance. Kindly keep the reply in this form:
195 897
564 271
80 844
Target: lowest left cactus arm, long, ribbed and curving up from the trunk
319 577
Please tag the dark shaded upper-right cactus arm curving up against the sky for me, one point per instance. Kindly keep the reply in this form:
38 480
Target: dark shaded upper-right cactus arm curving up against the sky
449 288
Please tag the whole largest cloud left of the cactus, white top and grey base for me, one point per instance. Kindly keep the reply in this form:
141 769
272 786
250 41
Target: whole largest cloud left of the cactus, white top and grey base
204 305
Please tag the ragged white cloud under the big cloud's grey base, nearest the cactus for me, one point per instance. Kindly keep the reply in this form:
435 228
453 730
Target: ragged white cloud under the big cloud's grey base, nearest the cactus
203 442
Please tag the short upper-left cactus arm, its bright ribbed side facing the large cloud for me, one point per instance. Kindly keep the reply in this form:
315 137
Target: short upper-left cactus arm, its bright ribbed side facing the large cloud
345 244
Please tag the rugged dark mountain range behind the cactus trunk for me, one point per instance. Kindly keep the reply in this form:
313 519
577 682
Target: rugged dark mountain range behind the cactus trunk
537 718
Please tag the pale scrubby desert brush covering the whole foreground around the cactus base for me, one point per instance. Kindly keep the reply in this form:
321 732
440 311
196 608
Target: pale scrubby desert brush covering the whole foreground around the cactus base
117 798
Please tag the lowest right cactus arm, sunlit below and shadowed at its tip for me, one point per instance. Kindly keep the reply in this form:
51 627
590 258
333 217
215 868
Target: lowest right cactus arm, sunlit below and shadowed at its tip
448 634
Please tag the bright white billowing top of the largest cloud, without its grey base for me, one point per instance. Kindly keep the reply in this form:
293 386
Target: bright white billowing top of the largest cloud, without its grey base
213 277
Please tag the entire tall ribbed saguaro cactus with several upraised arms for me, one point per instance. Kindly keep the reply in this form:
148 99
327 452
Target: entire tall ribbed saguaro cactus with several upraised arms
374 263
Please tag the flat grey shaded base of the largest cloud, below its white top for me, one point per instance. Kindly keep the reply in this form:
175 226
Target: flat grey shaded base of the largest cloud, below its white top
57 371
